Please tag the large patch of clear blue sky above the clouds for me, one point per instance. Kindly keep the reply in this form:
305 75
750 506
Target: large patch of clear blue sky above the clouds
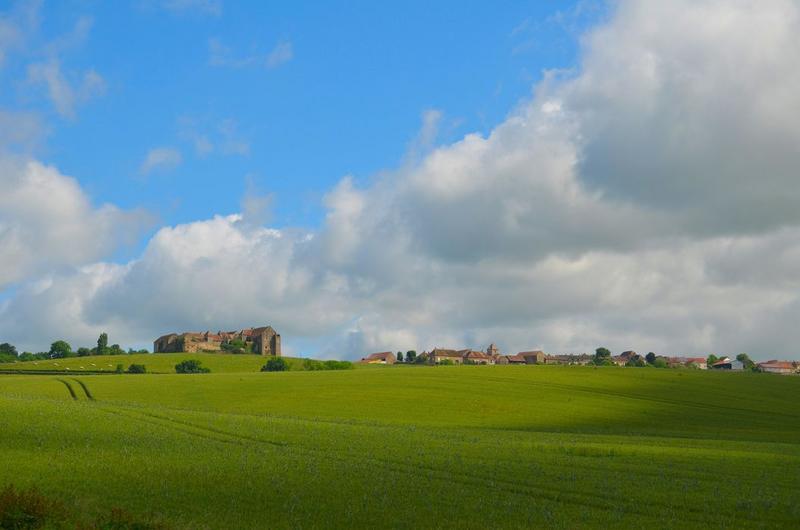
347 100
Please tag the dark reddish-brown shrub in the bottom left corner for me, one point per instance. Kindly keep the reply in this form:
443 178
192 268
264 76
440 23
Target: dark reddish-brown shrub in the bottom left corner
29 509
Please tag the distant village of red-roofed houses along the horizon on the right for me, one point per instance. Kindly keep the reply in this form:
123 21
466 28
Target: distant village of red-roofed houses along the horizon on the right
602 357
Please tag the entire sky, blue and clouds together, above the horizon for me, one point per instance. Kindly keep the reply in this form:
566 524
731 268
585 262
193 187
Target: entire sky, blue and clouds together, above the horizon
556 175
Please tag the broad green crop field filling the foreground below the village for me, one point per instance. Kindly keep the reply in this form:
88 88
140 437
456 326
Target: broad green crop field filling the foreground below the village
412 447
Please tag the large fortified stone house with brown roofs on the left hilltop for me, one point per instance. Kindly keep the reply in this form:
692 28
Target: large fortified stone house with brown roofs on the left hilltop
263 341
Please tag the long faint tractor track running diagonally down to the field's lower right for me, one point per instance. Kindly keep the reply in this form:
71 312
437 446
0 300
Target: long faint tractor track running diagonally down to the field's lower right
517 487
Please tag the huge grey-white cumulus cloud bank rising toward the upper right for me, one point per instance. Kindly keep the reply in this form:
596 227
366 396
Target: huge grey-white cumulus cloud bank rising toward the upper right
645 200
